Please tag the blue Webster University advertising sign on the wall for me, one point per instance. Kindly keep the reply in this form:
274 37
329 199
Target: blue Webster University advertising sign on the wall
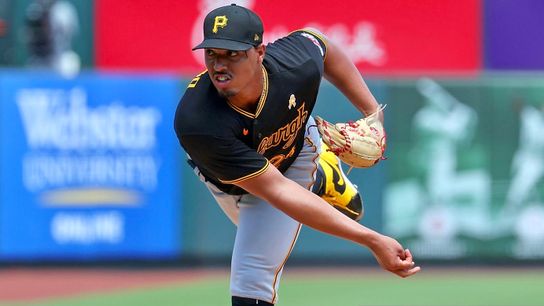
88 167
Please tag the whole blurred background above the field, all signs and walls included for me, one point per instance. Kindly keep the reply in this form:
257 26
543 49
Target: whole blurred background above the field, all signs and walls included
91 171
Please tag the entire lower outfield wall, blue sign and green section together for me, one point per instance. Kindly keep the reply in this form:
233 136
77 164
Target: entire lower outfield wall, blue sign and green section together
91 170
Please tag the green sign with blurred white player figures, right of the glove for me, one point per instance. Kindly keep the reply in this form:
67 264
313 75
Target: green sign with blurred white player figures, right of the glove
466 169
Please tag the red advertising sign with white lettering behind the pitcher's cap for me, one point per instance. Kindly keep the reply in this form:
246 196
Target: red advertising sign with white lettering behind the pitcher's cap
384 37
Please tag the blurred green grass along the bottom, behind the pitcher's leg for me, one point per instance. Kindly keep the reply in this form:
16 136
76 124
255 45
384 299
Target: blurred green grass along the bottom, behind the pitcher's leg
343 287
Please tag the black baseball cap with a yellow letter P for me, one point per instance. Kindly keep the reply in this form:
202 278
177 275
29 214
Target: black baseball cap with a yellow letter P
232 27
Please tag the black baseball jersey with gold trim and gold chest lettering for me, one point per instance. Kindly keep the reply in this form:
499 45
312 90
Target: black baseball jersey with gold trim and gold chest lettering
229 144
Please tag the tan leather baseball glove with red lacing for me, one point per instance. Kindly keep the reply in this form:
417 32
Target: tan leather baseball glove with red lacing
360 144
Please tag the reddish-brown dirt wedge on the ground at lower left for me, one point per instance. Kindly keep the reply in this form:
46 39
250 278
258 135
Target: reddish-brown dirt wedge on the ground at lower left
26 284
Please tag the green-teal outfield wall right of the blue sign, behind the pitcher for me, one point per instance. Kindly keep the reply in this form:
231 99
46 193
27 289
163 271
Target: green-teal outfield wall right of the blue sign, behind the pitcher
464 177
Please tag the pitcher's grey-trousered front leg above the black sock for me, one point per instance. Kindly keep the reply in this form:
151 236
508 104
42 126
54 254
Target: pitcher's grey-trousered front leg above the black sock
264 240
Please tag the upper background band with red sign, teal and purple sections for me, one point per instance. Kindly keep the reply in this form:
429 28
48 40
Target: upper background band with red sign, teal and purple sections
382 37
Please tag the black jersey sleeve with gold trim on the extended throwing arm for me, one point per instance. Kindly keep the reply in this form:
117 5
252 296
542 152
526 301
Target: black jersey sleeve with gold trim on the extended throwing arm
228 160
